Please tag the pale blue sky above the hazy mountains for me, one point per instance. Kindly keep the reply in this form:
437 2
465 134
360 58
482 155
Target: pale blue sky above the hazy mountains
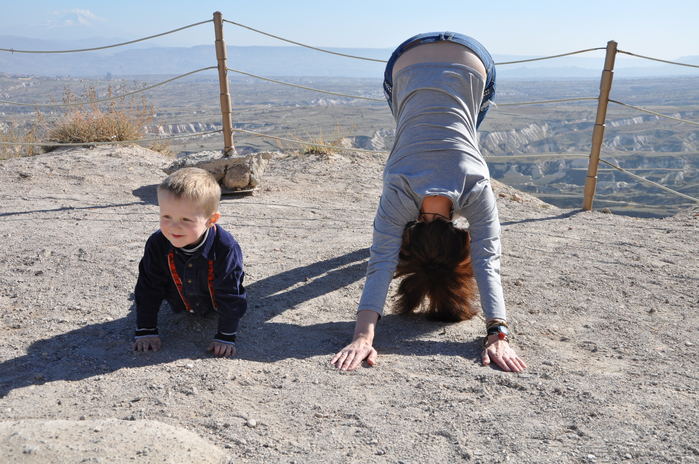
661 29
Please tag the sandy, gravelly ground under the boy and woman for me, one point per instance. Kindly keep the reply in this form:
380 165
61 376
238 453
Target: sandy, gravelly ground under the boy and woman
603 309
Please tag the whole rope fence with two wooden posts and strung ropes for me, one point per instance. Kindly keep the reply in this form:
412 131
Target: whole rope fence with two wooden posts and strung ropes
227 130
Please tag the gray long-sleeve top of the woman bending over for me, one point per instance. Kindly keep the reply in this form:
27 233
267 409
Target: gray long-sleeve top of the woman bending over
436 153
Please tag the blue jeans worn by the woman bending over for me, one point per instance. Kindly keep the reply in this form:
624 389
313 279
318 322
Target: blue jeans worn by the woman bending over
431 37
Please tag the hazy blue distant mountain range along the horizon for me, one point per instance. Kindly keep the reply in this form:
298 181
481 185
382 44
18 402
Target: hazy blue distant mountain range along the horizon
142 59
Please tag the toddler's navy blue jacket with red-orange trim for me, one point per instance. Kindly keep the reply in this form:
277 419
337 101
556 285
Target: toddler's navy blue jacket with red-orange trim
211 280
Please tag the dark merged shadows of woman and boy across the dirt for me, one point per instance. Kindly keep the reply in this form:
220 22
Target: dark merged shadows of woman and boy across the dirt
105 347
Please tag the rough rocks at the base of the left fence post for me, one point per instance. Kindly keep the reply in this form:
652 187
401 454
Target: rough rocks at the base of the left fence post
237 173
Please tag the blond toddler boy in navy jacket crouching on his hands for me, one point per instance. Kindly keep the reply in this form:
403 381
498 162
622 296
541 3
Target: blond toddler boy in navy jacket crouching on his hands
191 262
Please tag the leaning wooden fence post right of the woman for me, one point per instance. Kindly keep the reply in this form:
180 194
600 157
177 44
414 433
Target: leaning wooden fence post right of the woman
598 132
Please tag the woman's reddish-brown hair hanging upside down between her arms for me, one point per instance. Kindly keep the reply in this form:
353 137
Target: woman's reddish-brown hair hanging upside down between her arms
435 263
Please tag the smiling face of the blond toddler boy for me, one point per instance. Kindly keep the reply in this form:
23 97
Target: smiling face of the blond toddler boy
183 222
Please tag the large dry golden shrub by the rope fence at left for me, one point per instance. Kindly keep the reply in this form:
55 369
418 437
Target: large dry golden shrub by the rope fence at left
122 119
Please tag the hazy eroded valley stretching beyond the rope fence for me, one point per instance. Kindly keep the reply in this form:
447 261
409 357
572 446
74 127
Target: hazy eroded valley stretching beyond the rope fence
540 149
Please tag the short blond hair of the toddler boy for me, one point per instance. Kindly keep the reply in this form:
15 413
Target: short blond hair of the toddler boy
195 185
